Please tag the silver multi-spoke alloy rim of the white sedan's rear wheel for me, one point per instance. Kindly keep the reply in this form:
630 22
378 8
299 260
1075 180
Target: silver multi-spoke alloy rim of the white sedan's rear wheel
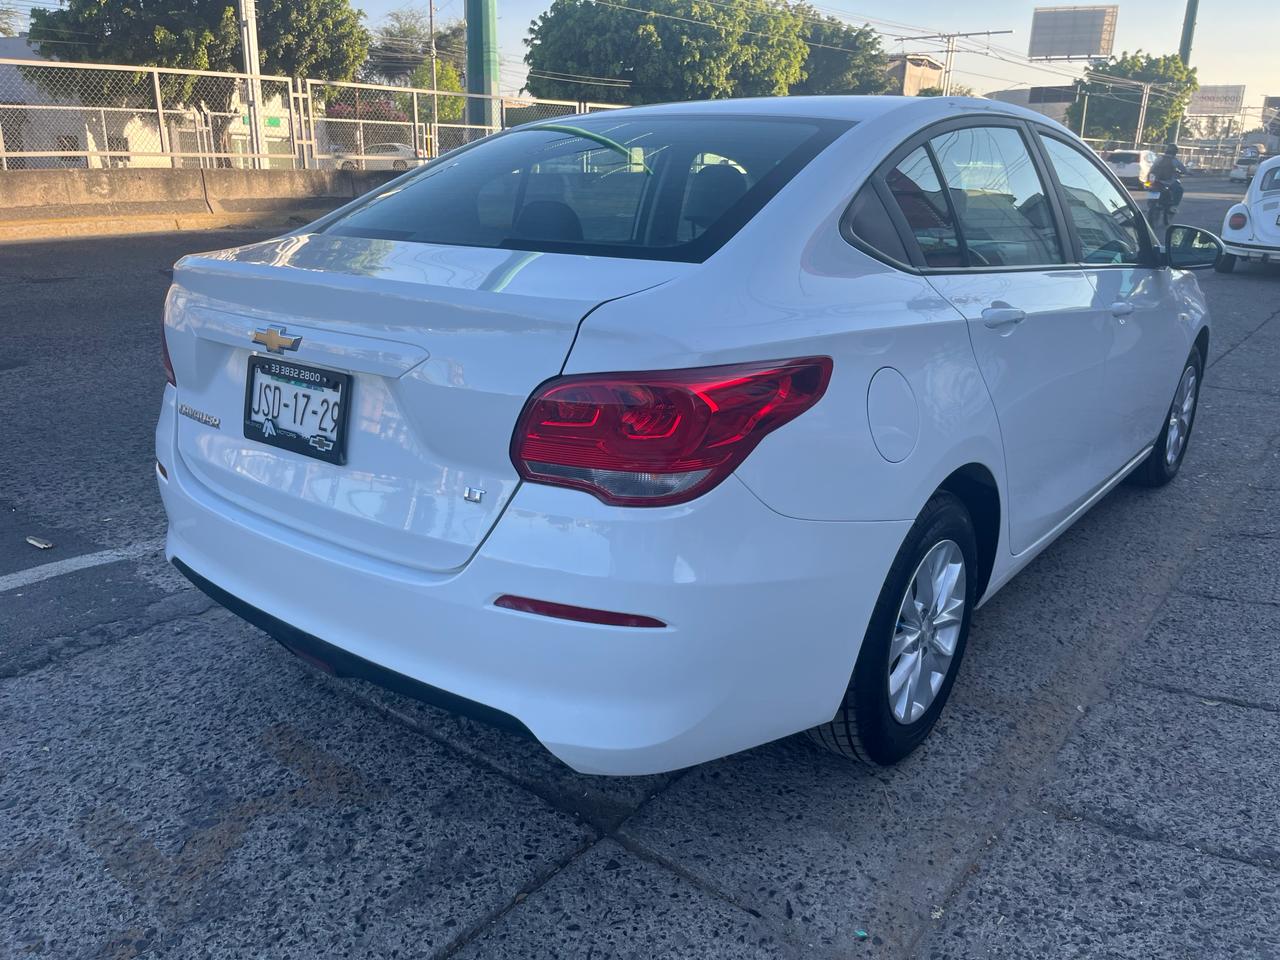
927 632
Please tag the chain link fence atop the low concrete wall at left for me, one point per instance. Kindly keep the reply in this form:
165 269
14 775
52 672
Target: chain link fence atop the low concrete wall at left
100 117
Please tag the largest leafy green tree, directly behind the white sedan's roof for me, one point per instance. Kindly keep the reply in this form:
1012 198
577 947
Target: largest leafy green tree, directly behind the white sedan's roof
660 51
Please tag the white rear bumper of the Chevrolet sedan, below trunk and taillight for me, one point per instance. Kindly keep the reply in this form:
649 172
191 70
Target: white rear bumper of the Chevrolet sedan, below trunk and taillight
765 615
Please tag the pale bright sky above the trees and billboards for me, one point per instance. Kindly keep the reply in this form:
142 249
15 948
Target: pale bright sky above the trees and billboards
1236 42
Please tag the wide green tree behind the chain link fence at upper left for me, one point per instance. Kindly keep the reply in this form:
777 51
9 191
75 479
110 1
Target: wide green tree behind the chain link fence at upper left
322 39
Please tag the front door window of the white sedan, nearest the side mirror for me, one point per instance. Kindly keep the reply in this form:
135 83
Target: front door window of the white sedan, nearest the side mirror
1105 221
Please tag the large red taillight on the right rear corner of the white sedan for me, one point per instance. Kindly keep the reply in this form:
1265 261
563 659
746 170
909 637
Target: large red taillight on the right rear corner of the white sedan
653 440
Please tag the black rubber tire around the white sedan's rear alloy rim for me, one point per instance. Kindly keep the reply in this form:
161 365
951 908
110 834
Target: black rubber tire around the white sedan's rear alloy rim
865 728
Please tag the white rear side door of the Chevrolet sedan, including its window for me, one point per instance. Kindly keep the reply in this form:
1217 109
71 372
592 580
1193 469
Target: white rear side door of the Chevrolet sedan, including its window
991 243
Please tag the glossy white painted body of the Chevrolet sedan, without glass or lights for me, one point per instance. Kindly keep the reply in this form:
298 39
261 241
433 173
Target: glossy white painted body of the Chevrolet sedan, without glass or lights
765 584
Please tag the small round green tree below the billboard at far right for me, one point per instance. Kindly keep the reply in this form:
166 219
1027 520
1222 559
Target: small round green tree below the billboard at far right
1113 112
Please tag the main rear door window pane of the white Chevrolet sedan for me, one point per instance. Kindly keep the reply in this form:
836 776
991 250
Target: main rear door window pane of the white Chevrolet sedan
1003 208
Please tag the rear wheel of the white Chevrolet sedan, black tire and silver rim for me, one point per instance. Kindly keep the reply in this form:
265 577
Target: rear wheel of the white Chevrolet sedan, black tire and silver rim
915 642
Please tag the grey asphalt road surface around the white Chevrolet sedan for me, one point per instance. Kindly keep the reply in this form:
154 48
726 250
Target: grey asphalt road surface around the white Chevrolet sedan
173 784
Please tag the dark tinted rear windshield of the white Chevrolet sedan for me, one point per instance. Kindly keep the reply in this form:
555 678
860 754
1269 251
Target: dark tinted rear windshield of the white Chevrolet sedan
652 188
